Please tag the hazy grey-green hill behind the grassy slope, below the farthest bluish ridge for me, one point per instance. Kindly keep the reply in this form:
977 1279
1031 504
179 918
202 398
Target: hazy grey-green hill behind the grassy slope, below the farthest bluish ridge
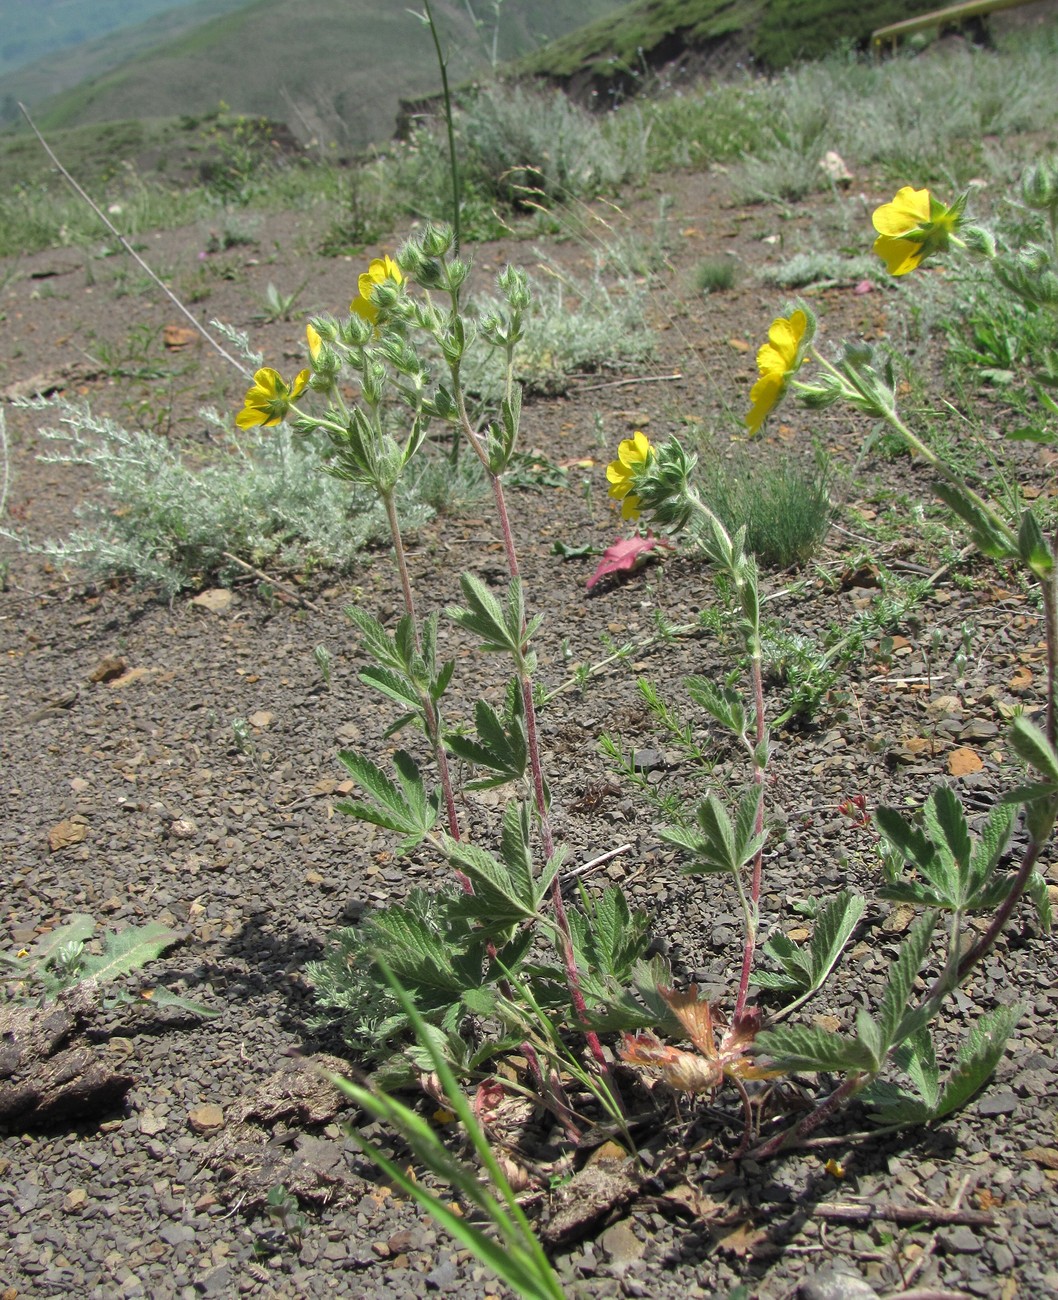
332 70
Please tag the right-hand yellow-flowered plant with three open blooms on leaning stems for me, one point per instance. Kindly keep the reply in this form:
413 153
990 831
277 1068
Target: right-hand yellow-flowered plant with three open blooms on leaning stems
933 860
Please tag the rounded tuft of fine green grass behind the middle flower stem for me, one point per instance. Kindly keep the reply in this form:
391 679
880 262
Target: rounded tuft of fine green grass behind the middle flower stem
786 509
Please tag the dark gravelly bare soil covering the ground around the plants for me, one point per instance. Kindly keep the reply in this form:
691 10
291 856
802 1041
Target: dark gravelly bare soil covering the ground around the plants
240 847
